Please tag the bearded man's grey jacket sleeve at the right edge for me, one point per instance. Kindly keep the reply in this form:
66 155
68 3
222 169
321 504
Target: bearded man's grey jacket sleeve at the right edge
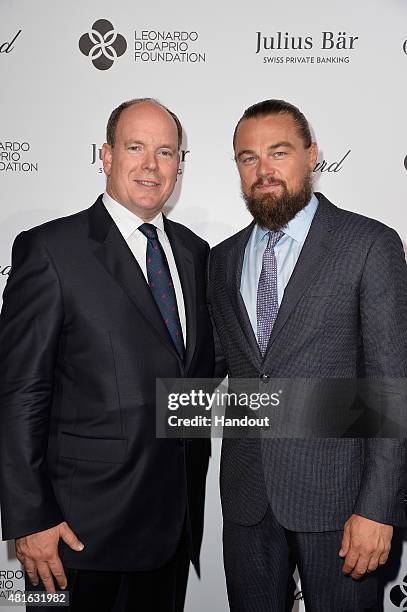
383 313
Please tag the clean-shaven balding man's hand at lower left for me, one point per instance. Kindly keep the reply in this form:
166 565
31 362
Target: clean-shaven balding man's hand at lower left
38 553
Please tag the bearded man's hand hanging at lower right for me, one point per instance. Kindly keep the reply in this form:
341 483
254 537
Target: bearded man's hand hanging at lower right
365 545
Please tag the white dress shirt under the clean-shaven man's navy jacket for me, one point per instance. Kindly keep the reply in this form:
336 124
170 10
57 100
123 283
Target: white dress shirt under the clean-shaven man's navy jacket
128 224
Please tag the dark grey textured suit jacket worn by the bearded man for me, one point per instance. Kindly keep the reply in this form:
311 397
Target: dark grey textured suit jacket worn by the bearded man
343 314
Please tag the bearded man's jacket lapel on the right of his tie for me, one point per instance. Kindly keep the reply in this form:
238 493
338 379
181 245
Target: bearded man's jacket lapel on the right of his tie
310 262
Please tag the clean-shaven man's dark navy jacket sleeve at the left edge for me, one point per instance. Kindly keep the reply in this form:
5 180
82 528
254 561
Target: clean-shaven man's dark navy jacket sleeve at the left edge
30 332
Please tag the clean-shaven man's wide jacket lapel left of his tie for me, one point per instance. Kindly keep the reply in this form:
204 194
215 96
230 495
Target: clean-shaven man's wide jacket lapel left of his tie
114 254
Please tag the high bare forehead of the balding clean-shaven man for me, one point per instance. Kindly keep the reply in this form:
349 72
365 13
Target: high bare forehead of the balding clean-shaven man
146 120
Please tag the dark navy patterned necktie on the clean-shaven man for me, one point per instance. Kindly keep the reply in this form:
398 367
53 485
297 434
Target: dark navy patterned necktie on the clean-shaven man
161 285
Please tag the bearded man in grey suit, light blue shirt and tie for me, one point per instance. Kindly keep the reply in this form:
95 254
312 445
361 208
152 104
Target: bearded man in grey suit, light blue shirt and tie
307 291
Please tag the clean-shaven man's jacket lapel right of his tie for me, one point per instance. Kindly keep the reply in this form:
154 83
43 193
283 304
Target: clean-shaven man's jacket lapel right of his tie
186 270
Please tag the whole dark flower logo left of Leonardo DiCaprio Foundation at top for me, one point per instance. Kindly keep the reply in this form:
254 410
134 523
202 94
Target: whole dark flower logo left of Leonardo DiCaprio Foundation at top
102 44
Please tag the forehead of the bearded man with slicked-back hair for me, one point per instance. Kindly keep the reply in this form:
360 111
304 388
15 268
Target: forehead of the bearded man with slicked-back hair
267 131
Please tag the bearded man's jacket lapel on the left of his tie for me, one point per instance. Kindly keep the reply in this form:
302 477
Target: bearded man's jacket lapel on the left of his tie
233 280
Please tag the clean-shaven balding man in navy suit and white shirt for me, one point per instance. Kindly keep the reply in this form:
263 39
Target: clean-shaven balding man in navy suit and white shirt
98 305
